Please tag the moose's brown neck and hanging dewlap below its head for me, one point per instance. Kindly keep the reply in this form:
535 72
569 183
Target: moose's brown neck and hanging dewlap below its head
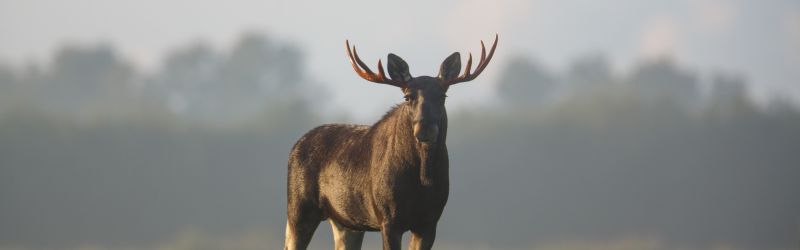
397 130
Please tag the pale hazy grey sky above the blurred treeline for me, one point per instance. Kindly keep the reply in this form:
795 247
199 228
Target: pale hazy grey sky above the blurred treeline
758 38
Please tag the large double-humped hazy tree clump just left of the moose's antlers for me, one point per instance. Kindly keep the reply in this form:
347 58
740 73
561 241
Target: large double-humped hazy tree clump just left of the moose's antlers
260 80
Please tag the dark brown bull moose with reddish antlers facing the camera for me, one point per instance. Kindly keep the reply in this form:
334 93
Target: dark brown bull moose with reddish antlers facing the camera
390 177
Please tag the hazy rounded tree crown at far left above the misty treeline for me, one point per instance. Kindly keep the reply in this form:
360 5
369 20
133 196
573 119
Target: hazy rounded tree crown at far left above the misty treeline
85 81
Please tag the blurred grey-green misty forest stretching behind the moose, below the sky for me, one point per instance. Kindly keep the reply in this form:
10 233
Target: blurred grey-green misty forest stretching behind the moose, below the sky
97 154
